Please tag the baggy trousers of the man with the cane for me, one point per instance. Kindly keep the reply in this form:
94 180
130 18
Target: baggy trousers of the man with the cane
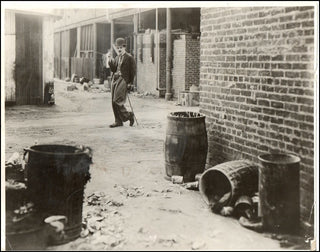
119 96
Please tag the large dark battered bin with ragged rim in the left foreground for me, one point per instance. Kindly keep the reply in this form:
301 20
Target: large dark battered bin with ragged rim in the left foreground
56 176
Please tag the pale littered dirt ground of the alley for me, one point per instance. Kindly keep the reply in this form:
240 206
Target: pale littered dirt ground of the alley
145 211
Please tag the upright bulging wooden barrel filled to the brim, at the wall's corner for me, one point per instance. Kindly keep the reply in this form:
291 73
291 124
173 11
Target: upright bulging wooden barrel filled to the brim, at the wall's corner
186 145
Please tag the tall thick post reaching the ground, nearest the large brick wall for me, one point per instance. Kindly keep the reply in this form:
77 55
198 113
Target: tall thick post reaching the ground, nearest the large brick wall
168 57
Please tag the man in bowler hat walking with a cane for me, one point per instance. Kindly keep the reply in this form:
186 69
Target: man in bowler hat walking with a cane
123 68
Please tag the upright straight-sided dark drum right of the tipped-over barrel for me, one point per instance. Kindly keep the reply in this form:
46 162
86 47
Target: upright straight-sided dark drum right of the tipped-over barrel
279 192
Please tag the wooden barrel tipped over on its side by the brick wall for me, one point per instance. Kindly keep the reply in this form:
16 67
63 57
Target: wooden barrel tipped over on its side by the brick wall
239 177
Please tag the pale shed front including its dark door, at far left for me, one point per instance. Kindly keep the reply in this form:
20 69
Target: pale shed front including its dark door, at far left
28 56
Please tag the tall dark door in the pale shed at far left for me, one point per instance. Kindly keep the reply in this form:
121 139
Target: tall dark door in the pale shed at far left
28 67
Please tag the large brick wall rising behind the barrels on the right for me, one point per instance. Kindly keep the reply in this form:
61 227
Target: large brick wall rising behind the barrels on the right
256 82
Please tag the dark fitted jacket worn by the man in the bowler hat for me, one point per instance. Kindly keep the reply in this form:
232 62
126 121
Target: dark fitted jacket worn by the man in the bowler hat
127 69
